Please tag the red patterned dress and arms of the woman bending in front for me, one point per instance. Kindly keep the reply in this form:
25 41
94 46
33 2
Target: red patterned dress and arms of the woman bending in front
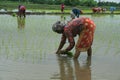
85 28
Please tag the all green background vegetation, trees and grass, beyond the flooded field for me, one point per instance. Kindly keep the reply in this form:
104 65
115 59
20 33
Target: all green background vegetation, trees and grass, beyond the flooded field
54 7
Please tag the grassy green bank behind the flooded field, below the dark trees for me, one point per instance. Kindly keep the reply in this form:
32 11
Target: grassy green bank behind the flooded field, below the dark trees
44 8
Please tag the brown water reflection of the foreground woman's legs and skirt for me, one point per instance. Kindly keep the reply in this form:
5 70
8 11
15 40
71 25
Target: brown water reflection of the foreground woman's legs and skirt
83 72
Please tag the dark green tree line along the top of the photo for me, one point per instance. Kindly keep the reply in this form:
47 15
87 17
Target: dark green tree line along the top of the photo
89 3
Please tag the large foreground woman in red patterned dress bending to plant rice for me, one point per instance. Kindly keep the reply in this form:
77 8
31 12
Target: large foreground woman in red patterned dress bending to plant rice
83 27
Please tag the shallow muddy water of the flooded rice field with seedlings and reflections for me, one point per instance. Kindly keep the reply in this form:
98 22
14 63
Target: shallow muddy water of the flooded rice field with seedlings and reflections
27 50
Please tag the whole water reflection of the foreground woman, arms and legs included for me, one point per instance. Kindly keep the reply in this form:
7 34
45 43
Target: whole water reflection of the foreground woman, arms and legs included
69 71
